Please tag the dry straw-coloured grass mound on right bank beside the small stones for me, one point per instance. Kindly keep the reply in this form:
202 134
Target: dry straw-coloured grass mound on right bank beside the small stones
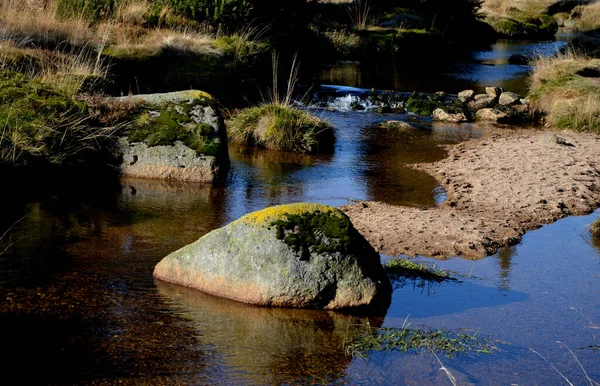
569 101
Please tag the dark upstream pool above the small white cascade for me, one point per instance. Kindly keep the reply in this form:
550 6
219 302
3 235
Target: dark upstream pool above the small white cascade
476 71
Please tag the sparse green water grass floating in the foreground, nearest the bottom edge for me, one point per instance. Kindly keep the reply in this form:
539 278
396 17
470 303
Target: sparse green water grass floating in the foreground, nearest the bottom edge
414 341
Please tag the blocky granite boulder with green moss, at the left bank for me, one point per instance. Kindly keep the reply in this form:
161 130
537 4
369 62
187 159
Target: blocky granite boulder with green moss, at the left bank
177 135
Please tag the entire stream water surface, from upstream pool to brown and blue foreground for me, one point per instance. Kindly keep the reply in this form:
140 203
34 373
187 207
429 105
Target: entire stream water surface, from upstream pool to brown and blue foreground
80 305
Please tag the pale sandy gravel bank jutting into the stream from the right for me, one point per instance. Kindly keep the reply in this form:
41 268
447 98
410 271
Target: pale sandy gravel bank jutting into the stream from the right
498 187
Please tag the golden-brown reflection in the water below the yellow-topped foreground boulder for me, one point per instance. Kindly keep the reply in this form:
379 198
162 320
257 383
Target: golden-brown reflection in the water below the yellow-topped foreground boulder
268 345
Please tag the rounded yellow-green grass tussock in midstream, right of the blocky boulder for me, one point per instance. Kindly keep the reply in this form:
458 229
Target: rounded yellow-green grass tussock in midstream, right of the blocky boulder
280 127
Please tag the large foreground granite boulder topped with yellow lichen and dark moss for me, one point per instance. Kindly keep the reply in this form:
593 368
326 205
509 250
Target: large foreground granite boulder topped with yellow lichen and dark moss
299 255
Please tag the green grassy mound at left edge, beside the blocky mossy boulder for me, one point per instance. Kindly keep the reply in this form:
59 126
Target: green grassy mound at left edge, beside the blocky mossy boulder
41 125
